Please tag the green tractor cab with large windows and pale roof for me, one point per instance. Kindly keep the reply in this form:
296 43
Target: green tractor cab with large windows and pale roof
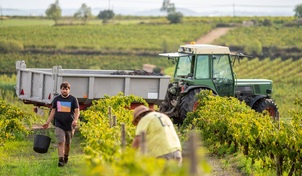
205 66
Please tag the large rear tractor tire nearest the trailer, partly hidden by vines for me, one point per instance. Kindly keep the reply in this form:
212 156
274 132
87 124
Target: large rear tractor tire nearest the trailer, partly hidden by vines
188 104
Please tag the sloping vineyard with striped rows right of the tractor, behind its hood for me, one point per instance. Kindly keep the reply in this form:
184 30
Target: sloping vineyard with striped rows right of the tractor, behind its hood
286 76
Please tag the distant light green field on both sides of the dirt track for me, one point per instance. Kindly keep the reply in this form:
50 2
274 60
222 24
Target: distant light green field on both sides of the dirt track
144 36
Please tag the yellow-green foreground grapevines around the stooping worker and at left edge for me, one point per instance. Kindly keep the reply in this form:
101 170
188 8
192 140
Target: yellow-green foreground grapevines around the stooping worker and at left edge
222 122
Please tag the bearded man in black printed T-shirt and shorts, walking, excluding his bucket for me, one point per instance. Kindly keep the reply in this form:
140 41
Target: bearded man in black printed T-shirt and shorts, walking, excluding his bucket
65 113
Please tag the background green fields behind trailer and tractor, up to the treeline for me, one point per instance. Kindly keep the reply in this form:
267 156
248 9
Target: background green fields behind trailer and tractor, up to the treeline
128 43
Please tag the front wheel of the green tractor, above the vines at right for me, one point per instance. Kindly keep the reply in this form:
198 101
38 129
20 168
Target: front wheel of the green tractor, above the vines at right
268 106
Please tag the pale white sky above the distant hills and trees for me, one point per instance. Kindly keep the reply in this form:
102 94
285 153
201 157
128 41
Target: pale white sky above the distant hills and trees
143 5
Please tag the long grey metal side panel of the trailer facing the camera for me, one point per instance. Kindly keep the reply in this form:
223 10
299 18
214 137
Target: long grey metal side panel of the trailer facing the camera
87 89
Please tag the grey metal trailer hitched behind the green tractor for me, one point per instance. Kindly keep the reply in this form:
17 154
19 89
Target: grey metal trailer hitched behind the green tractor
38 86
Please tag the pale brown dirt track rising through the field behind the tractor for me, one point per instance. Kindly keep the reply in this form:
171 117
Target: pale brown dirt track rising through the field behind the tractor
212 35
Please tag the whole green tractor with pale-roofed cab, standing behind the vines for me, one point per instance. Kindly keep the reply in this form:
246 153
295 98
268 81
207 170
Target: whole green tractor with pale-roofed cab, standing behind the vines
209 67
